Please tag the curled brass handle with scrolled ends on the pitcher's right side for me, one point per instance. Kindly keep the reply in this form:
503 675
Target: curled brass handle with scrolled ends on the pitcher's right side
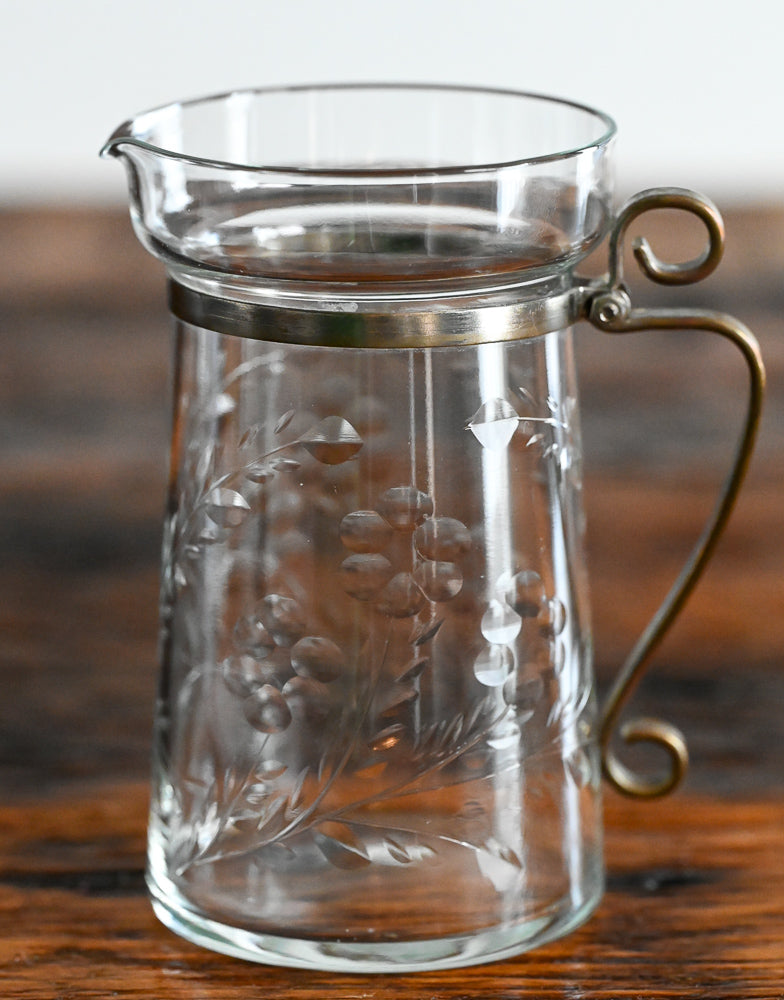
608 307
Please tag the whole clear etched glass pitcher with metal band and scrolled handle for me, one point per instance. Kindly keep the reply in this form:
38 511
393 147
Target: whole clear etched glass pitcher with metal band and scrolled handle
377 742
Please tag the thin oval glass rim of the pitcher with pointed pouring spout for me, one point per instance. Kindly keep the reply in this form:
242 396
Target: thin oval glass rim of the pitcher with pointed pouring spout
123 134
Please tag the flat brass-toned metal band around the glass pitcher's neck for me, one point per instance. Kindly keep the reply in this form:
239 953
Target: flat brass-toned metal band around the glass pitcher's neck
399 325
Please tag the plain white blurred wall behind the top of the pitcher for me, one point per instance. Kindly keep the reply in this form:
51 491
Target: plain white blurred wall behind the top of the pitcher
696 88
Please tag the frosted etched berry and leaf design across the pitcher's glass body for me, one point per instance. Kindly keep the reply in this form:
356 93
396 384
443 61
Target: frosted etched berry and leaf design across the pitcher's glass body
329 725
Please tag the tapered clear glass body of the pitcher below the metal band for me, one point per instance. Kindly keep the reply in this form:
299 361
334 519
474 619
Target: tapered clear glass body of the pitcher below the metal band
375 737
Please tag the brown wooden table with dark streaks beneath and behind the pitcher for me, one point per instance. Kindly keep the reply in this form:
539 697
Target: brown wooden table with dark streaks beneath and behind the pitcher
695 899
